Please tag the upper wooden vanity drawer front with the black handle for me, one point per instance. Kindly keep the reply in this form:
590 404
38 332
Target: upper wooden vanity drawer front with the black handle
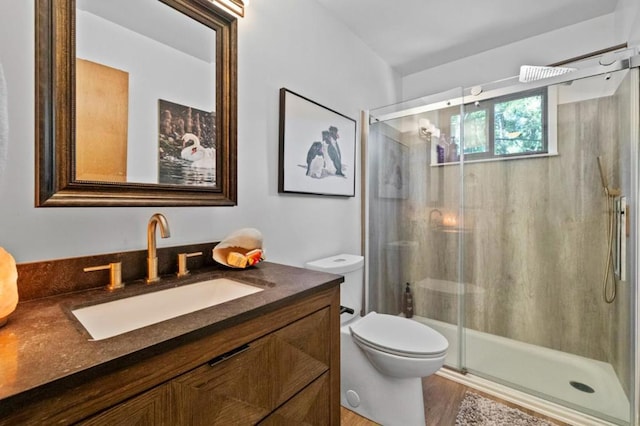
247 387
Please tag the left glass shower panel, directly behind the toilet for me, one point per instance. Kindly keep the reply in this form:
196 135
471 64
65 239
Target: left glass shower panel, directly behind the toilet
415 227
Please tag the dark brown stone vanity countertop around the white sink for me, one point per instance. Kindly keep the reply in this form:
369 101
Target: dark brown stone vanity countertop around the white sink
43 342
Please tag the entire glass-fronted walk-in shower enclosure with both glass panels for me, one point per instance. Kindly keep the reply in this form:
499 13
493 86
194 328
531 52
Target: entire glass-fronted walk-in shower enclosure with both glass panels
510 209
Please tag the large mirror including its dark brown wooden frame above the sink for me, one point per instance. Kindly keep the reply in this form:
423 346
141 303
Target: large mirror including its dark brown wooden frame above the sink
135 103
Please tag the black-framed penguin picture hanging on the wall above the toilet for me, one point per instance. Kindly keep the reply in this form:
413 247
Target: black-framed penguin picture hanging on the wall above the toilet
317 148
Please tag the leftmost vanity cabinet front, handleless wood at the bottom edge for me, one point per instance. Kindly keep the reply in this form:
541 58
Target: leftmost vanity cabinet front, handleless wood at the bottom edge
150 408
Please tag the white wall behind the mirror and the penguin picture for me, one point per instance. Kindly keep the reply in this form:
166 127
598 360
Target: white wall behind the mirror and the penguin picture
282 43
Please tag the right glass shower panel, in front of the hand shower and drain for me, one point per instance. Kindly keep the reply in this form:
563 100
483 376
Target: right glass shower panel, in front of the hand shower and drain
549 245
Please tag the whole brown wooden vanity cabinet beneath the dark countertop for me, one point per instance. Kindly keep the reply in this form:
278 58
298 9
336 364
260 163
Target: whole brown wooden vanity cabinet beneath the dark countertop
283 368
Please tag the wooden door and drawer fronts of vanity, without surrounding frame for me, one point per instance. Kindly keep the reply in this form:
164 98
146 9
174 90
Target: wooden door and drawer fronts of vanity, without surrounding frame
281 378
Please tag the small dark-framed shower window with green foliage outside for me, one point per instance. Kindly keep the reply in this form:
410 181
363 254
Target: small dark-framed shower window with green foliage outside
504 126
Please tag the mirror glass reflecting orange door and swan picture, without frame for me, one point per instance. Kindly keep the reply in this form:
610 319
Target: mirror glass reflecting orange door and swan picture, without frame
145 94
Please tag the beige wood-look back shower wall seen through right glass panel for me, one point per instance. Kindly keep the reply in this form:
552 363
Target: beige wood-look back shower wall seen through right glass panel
541 249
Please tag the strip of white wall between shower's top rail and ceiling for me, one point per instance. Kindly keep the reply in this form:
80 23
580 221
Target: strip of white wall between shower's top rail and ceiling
505 61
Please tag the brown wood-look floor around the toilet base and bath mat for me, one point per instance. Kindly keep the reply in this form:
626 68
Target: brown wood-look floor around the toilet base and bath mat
442 398
